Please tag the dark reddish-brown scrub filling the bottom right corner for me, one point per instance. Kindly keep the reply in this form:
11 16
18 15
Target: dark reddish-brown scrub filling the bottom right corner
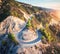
52 49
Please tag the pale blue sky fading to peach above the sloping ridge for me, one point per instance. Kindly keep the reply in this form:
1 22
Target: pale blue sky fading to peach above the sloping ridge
54 4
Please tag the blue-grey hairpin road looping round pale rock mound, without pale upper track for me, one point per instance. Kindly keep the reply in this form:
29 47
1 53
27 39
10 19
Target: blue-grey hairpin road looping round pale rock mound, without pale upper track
22 43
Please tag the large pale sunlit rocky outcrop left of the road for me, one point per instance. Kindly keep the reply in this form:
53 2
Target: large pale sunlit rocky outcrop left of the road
11 24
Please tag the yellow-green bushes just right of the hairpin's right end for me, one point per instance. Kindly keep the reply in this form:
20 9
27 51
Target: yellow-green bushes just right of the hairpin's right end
48 36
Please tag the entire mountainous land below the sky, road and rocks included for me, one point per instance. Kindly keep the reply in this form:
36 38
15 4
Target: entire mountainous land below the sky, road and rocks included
17 19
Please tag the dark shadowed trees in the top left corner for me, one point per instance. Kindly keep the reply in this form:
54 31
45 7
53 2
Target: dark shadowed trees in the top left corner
4 10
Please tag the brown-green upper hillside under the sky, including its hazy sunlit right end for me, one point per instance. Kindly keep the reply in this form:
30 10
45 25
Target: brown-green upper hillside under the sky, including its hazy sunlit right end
39 15
